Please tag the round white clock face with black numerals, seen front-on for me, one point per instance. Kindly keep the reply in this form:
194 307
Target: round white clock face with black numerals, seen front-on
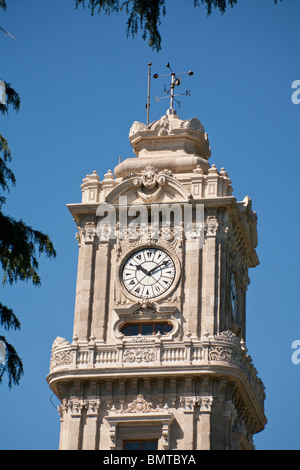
148 273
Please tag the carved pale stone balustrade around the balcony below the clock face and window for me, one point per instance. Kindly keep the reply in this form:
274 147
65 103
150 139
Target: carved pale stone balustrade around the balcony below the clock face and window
223 350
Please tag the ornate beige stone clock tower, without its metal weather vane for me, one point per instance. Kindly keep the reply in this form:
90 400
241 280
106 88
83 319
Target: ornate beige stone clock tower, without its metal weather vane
158 356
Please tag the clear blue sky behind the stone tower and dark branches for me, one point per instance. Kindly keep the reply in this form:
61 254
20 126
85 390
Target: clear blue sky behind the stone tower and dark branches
82 85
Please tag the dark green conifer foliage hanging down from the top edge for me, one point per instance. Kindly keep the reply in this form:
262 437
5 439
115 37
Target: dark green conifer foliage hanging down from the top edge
146 14
